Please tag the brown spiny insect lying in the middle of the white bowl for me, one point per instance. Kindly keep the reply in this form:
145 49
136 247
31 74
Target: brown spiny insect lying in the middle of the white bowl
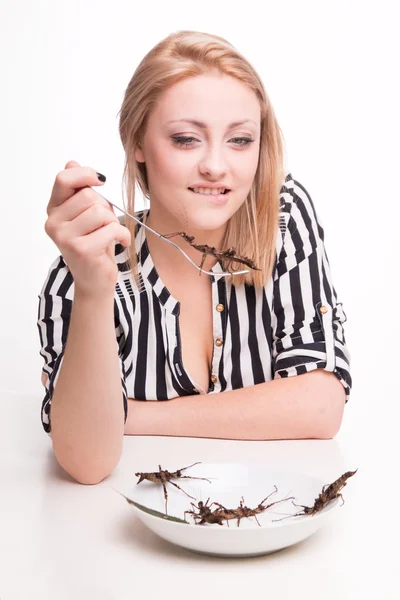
206 515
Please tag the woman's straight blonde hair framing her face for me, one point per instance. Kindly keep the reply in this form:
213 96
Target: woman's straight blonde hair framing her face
188 54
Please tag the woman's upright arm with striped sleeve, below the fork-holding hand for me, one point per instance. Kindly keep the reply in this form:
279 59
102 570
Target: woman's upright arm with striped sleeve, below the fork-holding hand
82 410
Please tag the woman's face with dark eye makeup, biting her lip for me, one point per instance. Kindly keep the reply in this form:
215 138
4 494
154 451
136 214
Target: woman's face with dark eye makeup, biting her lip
181 155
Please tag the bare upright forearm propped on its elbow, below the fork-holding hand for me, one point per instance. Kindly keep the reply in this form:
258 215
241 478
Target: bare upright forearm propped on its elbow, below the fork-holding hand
87 416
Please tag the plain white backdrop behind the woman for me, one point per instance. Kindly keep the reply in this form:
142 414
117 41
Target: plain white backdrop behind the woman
330 70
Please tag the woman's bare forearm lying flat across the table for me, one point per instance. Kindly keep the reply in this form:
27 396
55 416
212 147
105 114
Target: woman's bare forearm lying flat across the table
301 407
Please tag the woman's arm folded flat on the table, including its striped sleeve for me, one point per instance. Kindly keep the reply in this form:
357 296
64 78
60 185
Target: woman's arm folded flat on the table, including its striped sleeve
310 360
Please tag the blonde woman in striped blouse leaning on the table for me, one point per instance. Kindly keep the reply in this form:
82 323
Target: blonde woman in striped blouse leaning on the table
195 120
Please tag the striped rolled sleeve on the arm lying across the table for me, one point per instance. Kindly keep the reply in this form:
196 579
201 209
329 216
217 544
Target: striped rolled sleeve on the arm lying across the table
307 319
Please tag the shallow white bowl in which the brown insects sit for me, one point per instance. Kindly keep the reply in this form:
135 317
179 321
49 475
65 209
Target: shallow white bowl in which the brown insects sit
234 485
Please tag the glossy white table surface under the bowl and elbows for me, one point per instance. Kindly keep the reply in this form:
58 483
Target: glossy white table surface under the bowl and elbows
62 540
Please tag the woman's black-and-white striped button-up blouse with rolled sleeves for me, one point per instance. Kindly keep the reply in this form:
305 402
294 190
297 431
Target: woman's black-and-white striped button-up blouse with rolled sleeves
291 325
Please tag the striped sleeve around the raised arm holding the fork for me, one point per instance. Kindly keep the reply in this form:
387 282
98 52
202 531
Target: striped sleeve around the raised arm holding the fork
54 314
